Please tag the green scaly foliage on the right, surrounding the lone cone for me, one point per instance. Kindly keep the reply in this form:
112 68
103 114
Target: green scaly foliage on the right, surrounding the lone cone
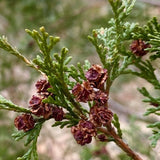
110 44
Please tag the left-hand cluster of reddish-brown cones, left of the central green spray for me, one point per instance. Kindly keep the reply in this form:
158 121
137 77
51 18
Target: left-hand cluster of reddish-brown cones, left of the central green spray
27 122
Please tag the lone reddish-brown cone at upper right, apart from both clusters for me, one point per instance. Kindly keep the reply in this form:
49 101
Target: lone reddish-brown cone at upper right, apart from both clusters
138 47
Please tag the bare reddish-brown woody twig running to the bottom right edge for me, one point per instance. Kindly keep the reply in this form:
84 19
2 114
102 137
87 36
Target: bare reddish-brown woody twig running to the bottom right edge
111 131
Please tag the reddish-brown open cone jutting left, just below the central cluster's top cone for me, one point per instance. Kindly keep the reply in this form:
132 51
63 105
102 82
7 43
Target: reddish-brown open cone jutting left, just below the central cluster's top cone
83 92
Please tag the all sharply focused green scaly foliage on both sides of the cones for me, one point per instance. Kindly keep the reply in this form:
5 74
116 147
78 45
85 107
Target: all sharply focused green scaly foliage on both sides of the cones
113 51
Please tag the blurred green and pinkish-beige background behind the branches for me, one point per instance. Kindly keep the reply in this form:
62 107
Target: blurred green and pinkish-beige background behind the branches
72 21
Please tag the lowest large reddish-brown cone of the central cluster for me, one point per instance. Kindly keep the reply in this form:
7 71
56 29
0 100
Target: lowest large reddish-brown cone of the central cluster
83 132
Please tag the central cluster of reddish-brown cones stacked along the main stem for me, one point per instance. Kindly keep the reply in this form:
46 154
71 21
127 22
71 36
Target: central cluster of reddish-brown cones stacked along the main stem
99 115
